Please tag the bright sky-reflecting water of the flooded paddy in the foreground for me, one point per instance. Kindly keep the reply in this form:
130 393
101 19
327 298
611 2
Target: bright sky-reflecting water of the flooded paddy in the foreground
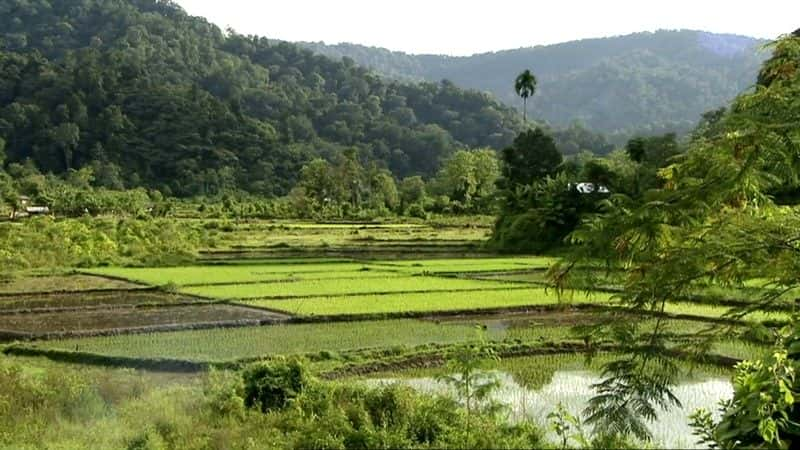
573 389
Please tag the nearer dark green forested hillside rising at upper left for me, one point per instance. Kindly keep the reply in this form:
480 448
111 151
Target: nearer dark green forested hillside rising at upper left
149 96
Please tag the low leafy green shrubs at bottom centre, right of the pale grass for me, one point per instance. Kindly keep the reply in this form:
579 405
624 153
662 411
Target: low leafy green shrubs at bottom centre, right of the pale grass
395 417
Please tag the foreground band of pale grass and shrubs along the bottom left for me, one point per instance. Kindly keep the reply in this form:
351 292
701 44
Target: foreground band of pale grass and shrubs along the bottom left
58 406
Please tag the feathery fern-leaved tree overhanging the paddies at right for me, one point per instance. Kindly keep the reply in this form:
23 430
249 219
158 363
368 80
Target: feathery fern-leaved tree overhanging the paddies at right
713 221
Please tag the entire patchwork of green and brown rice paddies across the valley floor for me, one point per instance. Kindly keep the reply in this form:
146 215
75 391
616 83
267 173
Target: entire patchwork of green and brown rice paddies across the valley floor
358 300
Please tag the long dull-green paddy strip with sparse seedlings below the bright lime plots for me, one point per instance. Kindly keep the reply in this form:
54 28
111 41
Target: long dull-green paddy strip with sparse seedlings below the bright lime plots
225 345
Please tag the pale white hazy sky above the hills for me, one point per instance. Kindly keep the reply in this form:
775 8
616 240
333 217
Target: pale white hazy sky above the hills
465 27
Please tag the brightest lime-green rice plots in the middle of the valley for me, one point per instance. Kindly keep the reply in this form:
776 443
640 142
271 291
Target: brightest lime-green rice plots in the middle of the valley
349 287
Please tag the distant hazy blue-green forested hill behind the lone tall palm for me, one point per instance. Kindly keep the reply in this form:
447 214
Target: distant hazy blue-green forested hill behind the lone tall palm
645 82
